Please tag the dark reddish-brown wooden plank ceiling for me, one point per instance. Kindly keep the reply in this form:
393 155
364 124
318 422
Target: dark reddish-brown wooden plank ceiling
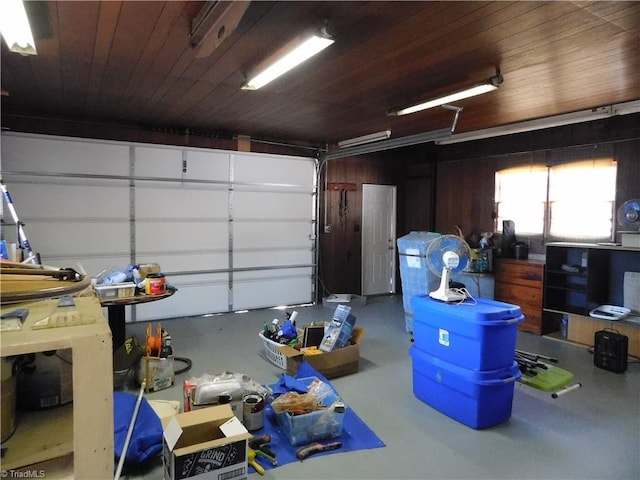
131 63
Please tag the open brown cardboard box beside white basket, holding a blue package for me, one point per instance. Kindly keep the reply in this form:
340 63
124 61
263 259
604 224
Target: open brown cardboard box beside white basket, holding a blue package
337 363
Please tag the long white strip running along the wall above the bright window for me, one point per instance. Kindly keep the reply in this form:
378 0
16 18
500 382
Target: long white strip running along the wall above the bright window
548 122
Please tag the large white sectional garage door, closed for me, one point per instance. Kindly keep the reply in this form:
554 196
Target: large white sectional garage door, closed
231 230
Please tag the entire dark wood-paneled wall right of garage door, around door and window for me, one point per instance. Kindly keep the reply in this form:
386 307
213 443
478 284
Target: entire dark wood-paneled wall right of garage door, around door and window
443 186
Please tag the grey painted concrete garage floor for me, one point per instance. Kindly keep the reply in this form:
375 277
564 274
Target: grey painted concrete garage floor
590 433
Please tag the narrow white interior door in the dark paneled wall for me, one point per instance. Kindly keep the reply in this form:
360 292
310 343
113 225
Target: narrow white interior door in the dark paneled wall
378 239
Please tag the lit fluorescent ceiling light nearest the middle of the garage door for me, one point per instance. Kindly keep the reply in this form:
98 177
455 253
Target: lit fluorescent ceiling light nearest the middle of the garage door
292 55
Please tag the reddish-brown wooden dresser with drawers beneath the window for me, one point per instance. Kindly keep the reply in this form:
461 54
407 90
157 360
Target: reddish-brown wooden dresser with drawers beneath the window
520 282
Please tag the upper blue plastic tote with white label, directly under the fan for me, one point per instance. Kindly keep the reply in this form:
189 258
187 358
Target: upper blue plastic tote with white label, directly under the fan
477 334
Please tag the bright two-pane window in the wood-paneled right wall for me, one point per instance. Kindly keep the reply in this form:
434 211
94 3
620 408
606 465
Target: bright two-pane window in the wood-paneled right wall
569 201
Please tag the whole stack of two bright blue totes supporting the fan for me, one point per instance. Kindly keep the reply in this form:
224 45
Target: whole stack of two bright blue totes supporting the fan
464 358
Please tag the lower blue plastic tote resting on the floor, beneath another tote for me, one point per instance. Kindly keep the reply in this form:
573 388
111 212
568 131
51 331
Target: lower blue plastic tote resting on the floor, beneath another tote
474 398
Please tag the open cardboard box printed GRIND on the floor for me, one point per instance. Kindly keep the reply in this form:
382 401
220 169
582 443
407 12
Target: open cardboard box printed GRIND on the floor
208 443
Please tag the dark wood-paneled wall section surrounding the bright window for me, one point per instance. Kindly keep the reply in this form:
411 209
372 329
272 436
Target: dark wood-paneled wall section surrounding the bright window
465 178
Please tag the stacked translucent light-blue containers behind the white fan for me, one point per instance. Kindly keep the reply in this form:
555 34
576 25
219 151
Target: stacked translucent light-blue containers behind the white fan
416 277
